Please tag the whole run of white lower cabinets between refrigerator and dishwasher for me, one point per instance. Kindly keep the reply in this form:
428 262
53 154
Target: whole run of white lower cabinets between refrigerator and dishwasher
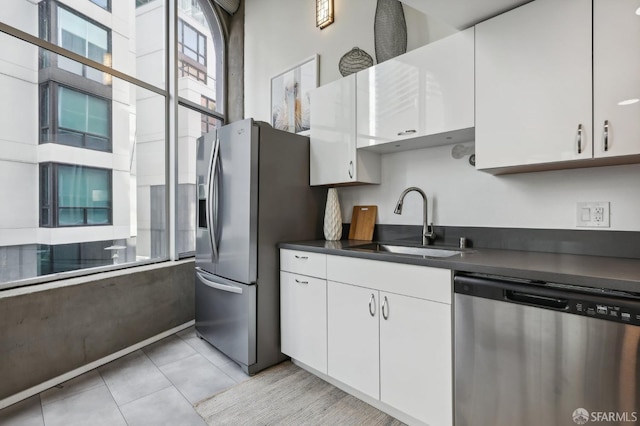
381 328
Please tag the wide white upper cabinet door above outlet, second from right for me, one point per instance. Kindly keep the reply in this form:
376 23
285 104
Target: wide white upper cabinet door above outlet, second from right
533 85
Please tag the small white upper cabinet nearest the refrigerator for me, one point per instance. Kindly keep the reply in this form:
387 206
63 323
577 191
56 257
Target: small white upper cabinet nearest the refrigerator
334 159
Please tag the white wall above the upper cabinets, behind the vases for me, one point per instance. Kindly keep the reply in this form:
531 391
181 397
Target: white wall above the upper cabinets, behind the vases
282 33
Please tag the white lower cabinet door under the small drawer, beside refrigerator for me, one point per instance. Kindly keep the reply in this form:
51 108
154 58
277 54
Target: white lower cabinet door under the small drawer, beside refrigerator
303 319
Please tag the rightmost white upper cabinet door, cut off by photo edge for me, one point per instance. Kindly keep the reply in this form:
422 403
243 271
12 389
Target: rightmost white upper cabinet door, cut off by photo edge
616 61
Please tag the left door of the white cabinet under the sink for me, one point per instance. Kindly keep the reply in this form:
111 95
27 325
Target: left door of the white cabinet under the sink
352 315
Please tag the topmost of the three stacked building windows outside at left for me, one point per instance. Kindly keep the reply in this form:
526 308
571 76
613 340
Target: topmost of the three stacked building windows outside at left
76 33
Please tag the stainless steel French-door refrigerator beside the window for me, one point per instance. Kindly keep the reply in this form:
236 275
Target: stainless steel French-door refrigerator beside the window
253 192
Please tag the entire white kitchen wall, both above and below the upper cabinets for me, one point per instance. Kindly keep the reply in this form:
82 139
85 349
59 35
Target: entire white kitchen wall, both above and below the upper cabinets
281 33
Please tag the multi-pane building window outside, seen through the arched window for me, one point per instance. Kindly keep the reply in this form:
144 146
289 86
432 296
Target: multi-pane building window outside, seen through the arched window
192 52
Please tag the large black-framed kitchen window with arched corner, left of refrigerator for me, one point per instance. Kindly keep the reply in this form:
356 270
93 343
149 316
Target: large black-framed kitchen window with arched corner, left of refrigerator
92 188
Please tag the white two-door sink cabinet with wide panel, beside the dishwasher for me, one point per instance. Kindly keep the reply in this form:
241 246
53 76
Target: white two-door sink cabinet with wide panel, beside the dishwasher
393 347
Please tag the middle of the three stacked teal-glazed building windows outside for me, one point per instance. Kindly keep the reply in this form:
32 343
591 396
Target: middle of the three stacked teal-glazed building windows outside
71 117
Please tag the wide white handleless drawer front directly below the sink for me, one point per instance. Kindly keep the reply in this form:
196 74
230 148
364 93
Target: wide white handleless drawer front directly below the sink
410 280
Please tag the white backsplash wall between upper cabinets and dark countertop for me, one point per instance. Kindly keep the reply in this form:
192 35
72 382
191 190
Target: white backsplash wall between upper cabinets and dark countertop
459 195
